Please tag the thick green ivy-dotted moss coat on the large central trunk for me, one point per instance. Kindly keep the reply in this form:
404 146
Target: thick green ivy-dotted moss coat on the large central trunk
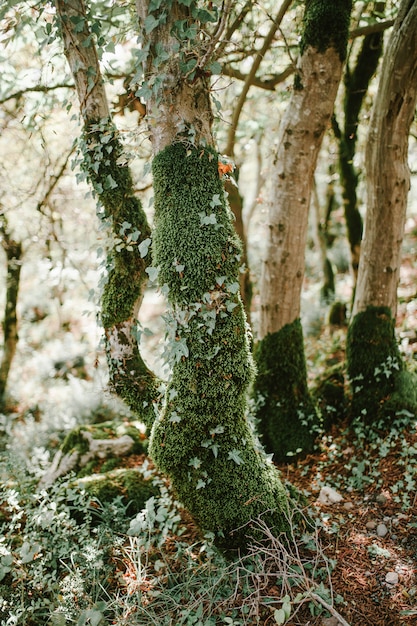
202 439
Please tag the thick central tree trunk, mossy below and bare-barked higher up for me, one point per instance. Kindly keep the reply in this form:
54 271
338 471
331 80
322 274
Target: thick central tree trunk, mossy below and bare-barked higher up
202 439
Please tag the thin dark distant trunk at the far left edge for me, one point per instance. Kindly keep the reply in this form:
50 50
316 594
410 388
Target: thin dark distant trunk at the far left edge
13 250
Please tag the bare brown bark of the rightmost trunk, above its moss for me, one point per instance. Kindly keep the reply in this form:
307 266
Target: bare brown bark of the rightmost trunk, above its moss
388 176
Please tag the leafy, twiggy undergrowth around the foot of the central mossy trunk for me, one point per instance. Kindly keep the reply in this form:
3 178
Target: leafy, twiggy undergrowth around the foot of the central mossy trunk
66 558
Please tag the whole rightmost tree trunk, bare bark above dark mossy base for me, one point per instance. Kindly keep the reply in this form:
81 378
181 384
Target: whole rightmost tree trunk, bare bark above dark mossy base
380 386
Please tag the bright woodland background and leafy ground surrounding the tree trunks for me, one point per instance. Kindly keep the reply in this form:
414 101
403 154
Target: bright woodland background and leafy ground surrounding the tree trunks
84 553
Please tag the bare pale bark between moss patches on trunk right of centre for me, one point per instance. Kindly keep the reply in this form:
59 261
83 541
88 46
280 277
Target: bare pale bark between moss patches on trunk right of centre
301 133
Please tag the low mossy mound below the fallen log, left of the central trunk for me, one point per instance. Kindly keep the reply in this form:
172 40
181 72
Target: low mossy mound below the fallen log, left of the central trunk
127 484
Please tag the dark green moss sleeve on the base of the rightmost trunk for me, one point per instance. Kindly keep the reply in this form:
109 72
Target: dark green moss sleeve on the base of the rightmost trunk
381 388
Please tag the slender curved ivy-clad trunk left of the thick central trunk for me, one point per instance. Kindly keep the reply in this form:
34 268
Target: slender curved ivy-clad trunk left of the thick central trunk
121 212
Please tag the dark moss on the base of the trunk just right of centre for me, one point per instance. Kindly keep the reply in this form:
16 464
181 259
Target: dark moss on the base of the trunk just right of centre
288 421
